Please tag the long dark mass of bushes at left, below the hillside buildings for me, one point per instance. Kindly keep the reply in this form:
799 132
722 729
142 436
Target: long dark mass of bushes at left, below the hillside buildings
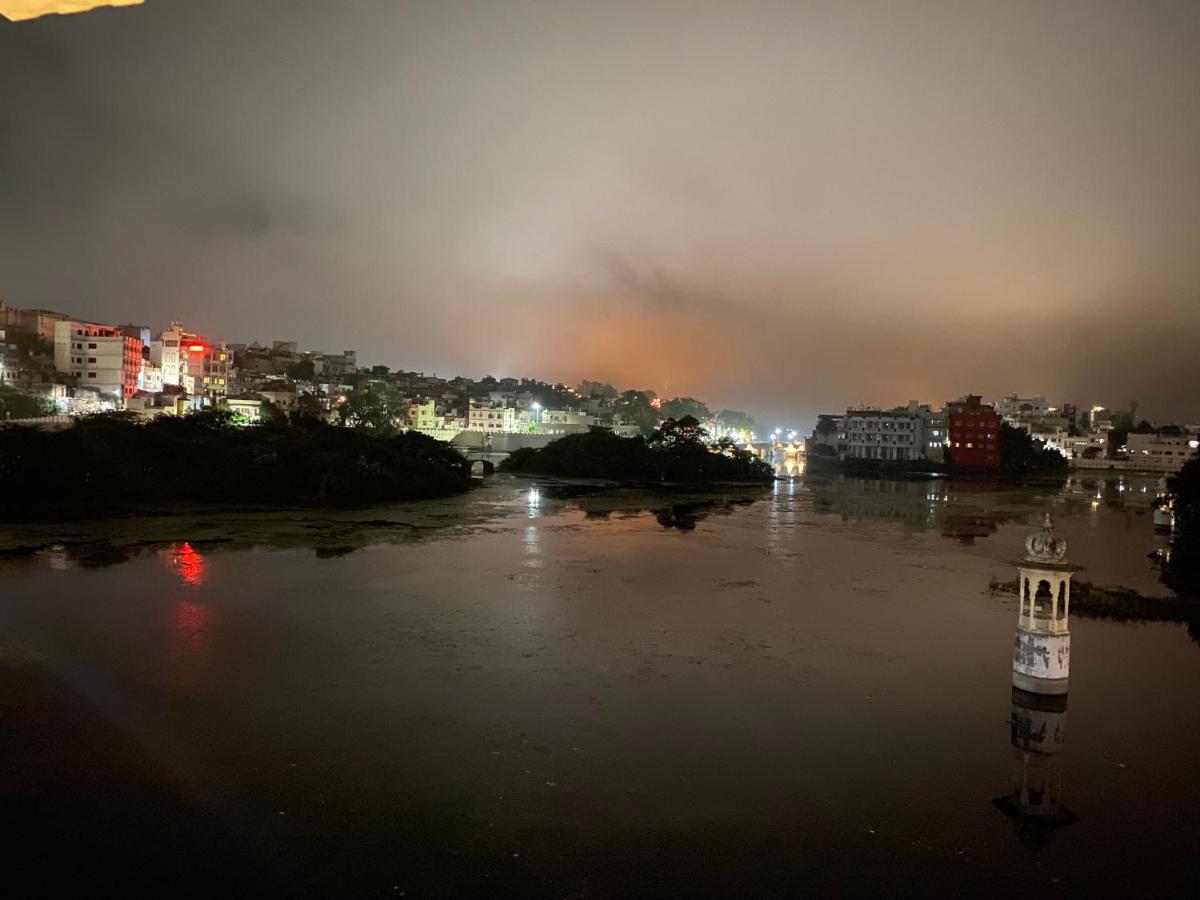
109 461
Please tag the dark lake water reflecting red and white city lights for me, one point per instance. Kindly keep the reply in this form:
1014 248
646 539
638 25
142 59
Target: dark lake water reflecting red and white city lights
532 693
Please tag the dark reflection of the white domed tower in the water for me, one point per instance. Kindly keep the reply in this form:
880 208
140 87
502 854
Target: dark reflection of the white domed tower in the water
1039 736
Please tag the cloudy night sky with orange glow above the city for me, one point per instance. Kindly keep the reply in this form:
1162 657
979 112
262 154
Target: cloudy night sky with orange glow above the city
783 207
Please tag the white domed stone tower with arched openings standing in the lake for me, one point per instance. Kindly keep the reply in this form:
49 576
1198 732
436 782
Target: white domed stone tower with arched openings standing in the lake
1042 652
